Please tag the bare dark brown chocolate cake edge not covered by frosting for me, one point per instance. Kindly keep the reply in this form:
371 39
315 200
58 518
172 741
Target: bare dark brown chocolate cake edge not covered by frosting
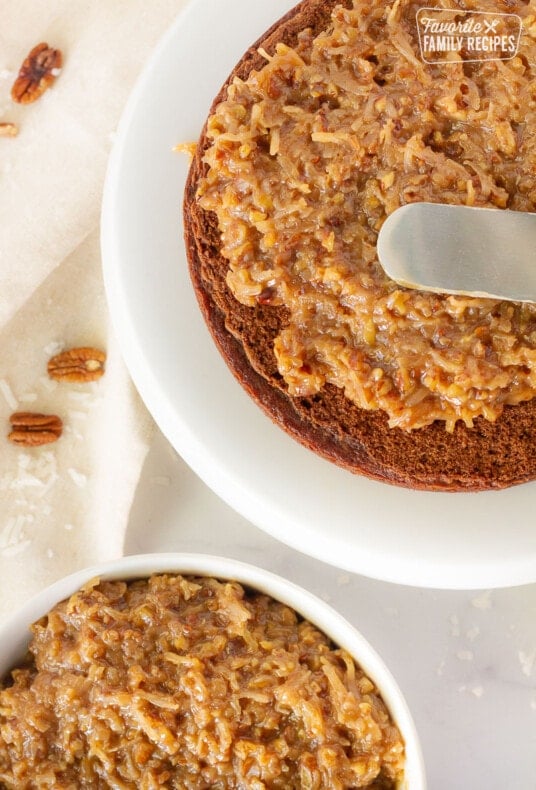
487 456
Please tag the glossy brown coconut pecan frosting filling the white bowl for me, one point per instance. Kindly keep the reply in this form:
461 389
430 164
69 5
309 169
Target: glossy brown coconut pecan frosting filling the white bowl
190 683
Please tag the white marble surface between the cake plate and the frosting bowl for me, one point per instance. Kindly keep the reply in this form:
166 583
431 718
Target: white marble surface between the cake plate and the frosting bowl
466 661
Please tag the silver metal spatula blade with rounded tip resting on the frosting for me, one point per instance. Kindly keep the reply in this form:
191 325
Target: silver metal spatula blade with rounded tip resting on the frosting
461 250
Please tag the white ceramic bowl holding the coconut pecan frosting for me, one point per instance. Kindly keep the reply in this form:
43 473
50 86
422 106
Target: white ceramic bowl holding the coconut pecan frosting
14 634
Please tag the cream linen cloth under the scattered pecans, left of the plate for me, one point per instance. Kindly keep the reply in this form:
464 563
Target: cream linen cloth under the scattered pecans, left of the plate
65 505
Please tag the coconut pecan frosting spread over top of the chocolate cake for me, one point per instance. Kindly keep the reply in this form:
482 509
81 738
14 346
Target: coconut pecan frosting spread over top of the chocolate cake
308 157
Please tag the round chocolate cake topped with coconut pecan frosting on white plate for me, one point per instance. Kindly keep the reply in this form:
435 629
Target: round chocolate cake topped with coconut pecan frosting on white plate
333 359
